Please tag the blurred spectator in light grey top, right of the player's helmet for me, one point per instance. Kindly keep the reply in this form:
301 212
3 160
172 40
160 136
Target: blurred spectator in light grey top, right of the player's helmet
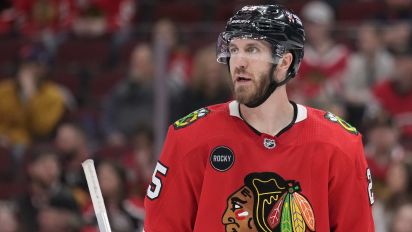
368 66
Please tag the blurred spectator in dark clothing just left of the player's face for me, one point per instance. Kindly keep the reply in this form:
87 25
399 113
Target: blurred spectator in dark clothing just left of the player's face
209 85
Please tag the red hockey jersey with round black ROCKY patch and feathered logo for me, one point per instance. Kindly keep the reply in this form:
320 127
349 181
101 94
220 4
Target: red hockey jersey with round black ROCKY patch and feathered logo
216 173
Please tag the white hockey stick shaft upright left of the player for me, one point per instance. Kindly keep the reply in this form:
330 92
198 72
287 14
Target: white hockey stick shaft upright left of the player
96 194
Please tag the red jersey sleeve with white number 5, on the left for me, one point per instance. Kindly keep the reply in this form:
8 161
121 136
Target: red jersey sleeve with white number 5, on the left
172 196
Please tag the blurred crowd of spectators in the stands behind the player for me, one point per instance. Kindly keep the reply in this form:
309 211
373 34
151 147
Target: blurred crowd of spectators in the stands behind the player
78 81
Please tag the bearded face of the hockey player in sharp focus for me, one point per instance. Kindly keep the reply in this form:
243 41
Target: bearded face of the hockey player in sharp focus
250 64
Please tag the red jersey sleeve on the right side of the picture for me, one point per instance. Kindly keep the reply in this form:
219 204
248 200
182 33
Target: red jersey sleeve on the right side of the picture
350 191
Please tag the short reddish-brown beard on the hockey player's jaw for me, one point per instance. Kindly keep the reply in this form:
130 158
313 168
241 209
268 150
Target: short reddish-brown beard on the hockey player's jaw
252 93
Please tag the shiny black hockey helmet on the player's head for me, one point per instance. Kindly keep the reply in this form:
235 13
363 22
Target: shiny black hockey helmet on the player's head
272 23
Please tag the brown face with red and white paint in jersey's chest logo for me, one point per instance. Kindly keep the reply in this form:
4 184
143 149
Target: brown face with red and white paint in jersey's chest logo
238 216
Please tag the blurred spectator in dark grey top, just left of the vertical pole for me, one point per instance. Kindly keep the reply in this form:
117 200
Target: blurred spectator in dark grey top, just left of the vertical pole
131 101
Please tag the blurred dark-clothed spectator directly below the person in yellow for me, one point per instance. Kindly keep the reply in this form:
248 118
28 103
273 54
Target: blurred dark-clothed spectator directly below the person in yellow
44 190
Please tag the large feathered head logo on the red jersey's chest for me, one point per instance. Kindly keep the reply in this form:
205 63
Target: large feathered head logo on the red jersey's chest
265 203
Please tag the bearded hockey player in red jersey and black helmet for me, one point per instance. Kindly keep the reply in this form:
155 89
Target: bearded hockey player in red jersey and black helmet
261 162
